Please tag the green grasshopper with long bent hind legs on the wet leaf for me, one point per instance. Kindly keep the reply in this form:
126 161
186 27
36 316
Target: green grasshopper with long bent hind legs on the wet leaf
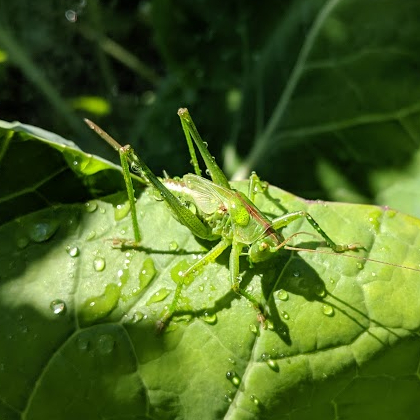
221 213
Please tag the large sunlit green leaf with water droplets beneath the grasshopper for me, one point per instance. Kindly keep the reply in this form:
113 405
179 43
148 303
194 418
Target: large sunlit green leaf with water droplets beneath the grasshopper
78 321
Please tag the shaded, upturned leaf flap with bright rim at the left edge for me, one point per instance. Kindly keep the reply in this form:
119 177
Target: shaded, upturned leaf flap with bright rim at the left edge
40 168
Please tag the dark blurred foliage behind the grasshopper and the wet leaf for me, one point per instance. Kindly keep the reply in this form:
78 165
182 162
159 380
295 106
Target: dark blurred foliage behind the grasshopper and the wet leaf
321 98
